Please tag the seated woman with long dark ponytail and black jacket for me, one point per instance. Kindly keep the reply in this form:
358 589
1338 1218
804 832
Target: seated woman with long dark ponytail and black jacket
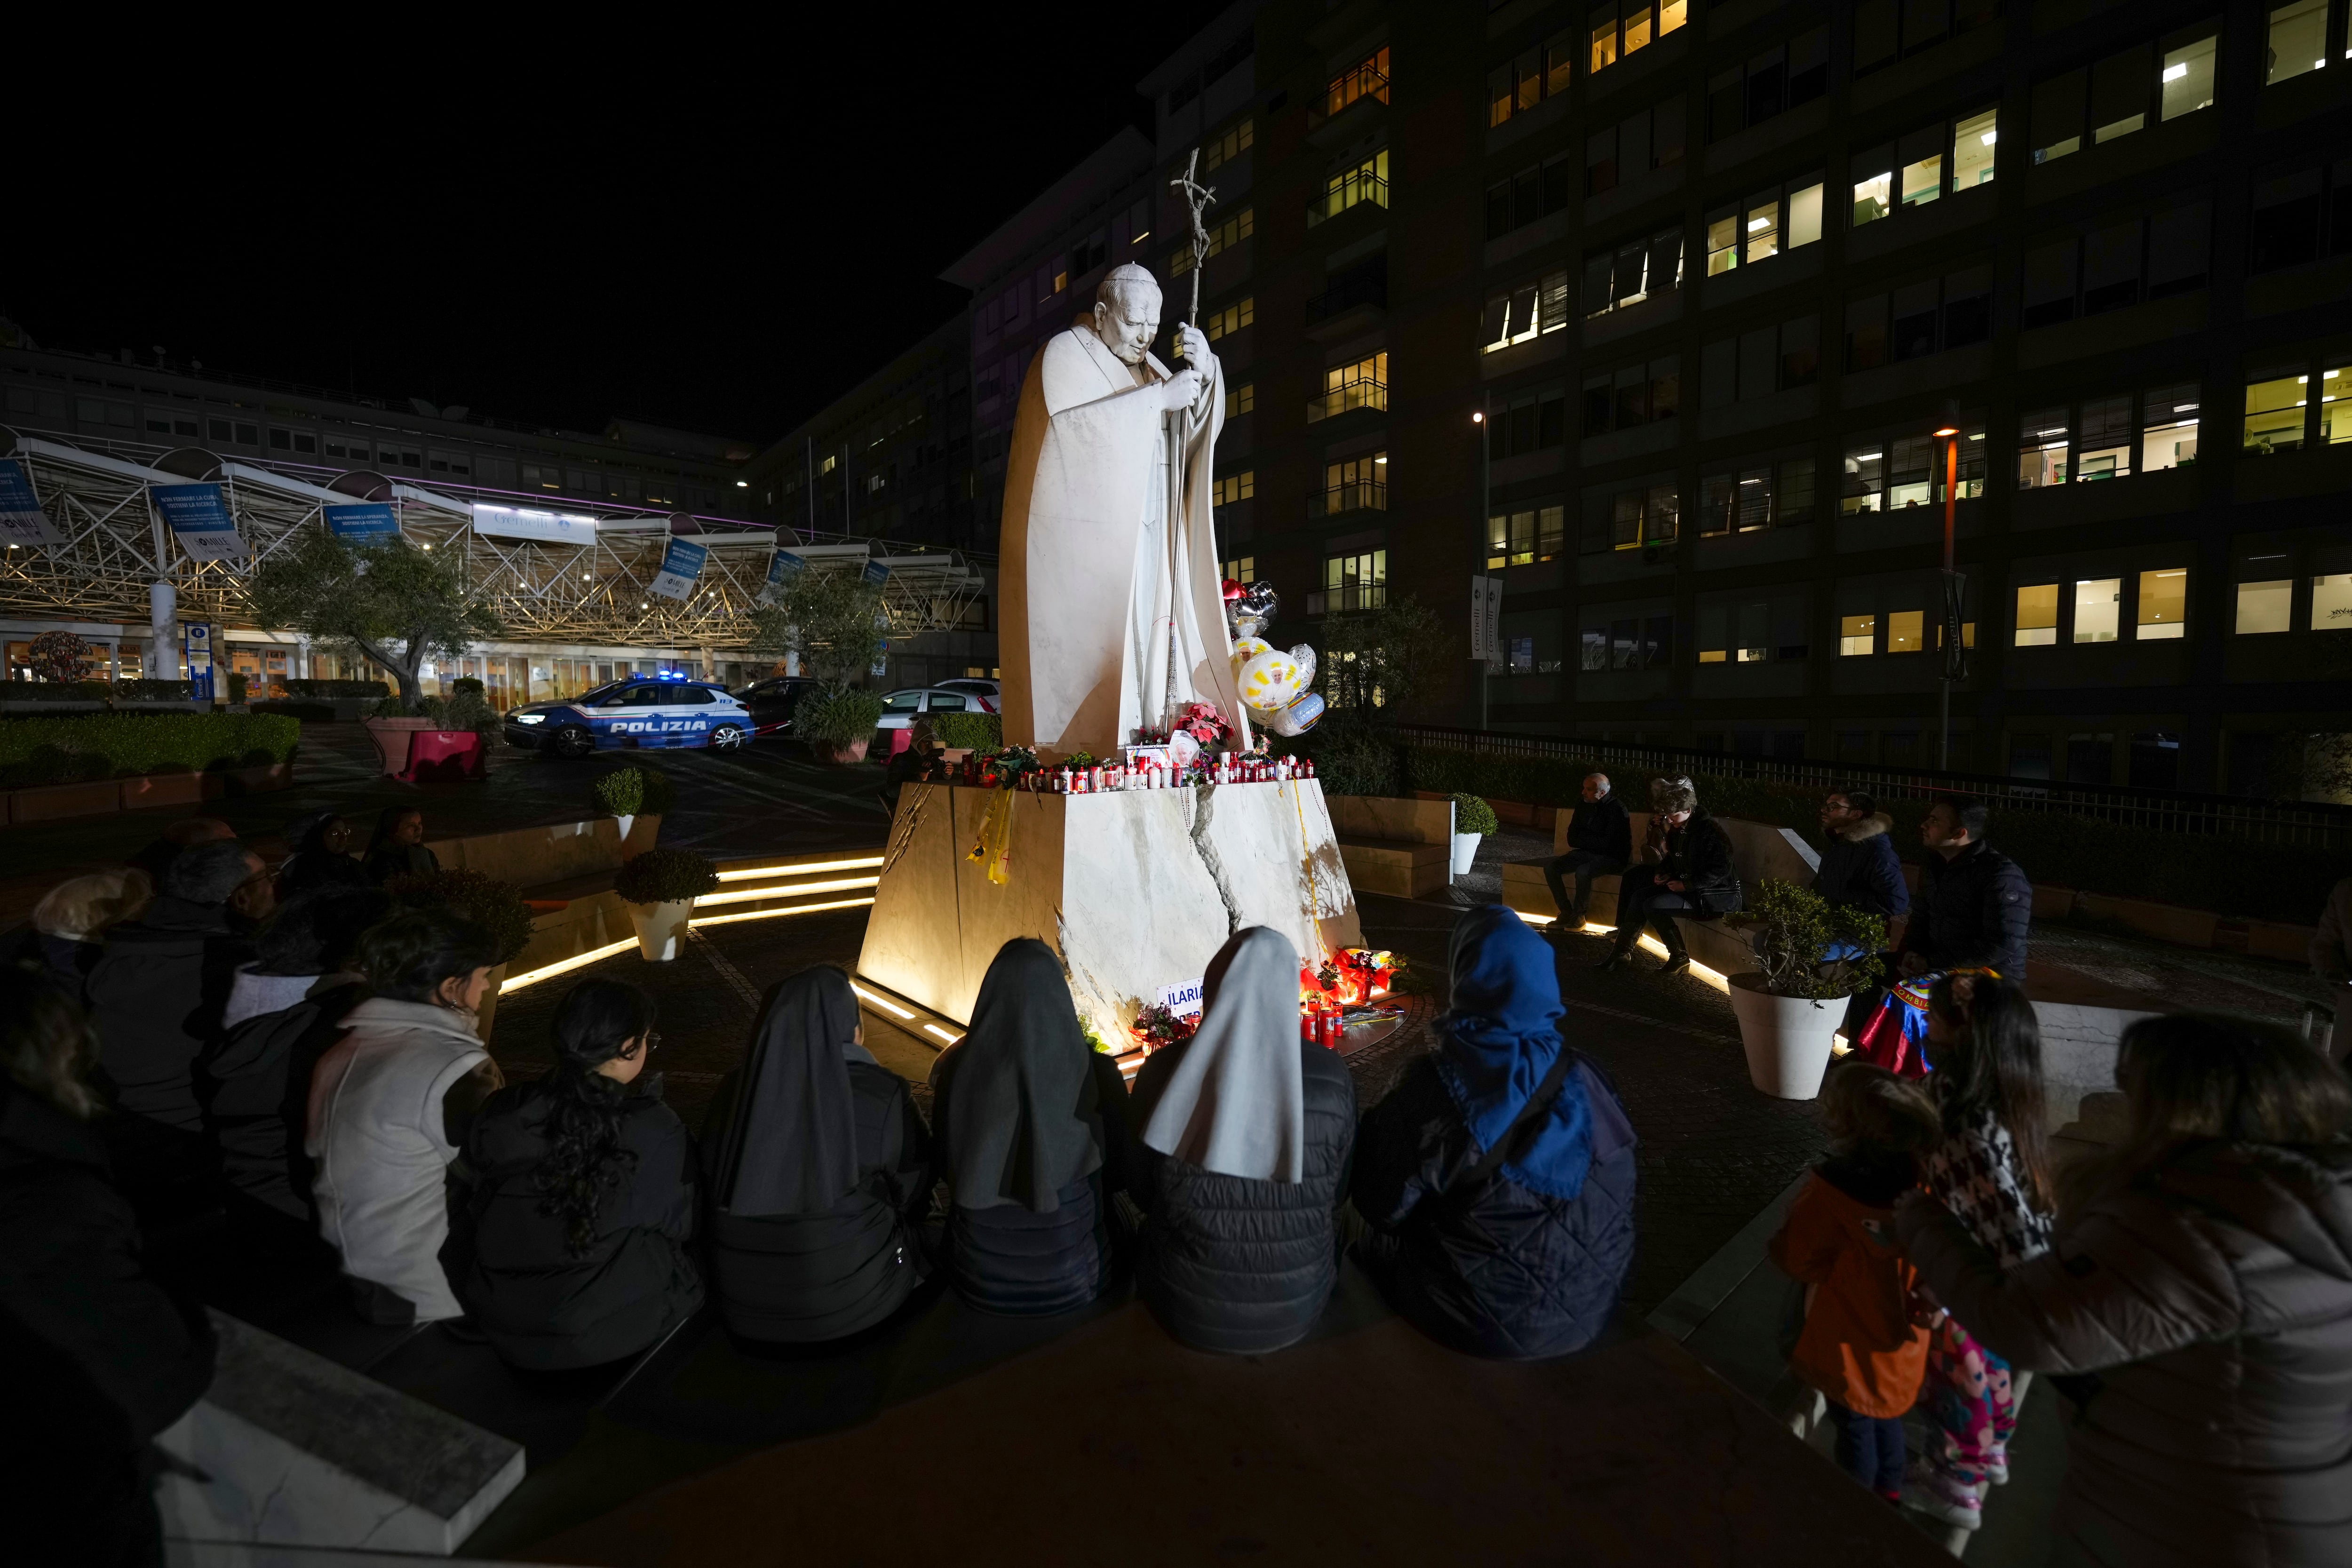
573 1247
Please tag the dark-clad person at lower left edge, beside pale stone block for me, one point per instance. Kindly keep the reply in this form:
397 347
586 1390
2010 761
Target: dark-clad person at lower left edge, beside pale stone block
102 1358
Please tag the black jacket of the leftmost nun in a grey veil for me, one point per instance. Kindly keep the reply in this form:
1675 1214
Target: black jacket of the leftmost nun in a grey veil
810 1278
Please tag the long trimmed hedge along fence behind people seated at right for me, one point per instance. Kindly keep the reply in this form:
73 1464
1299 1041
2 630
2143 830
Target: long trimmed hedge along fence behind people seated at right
2196 871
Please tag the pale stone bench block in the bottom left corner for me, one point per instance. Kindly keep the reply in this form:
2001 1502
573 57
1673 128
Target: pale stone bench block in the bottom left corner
300 1452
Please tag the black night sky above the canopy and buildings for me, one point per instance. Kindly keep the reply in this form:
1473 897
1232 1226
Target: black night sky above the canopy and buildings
707 232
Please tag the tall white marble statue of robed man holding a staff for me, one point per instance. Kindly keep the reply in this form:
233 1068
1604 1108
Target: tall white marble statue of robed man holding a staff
1102 554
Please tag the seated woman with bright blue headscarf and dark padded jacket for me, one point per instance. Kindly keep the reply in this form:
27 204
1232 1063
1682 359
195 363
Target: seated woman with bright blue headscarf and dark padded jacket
1497 1177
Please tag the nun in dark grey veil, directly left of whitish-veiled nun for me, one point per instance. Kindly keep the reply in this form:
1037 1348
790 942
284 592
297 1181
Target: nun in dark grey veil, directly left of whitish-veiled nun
1034 1139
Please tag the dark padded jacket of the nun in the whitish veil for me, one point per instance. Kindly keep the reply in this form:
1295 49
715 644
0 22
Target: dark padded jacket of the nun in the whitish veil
1234 1264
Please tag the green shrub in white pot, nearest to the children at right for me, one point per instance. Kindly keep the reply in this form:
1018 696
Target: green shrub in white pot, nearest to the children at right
1791 1005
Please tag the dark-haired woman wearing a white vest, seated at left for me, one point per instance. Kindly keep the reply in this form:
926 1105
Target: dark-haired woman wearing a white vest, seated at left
389 1111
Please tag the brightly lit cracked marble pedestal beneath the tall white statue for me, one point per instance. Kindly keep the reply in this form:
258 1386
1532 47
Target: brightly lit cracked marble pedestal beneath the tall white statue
1135 890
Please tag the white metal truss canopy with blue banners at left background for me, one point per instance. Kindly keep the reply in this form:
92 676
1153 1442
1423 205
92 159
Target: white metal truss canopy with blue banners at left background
592 587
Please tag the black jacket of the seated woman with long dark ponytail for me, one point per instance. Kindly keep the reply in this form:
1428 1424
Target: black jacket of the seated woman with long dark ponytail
535 1301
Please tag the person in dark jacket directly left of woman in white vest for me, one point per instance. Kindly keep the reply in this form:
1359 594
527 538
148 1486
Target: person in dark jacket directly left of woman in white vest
283 1012
